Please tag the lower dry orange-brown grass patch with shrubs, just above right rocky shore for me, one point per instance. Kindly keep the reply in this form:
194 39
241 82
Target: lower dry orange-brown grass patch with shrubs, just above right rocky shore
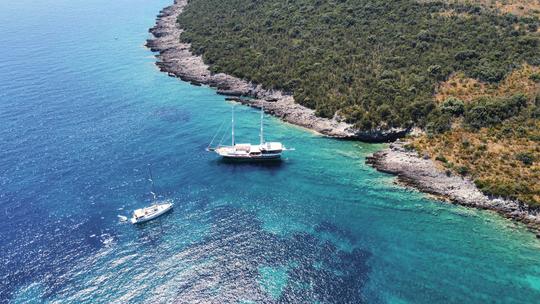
494 157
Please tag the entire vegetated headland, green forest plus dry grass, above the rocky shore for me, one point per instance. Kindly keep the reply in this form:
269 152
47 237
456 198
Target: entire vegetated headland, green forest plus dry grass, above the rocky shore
467 72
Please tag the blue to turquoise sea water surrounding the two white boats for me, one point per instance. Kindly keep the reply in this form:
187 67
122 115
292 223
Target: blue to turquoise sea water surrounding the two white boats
83 110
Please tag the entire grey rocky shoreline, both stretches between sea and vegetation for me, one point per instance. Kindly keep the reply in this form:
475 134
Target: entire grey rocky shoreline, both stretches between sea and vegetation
176 59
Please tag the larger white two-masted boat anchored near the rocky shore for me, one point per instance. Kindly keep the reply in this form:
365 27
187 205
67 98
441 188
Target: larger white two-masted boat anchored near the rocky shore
263 151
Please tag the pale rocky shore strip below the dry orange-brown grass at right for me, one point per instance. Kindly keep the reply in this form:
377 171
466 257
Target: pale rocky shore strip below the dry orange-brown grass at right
422 174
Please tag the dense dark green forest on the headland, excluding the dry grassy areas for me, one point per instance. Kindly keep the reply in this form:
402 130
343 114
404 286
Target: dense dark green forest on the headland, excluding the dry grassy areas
377 62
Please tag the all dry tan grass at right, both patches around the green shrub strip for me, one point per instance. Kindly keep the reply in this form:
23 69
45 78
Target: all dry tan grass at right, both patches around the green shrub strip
504 159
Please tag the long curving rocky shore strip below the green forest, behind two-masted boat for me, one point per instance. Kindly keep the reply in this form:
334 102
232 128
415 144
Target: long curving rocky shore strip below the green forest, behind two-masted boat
176 59
